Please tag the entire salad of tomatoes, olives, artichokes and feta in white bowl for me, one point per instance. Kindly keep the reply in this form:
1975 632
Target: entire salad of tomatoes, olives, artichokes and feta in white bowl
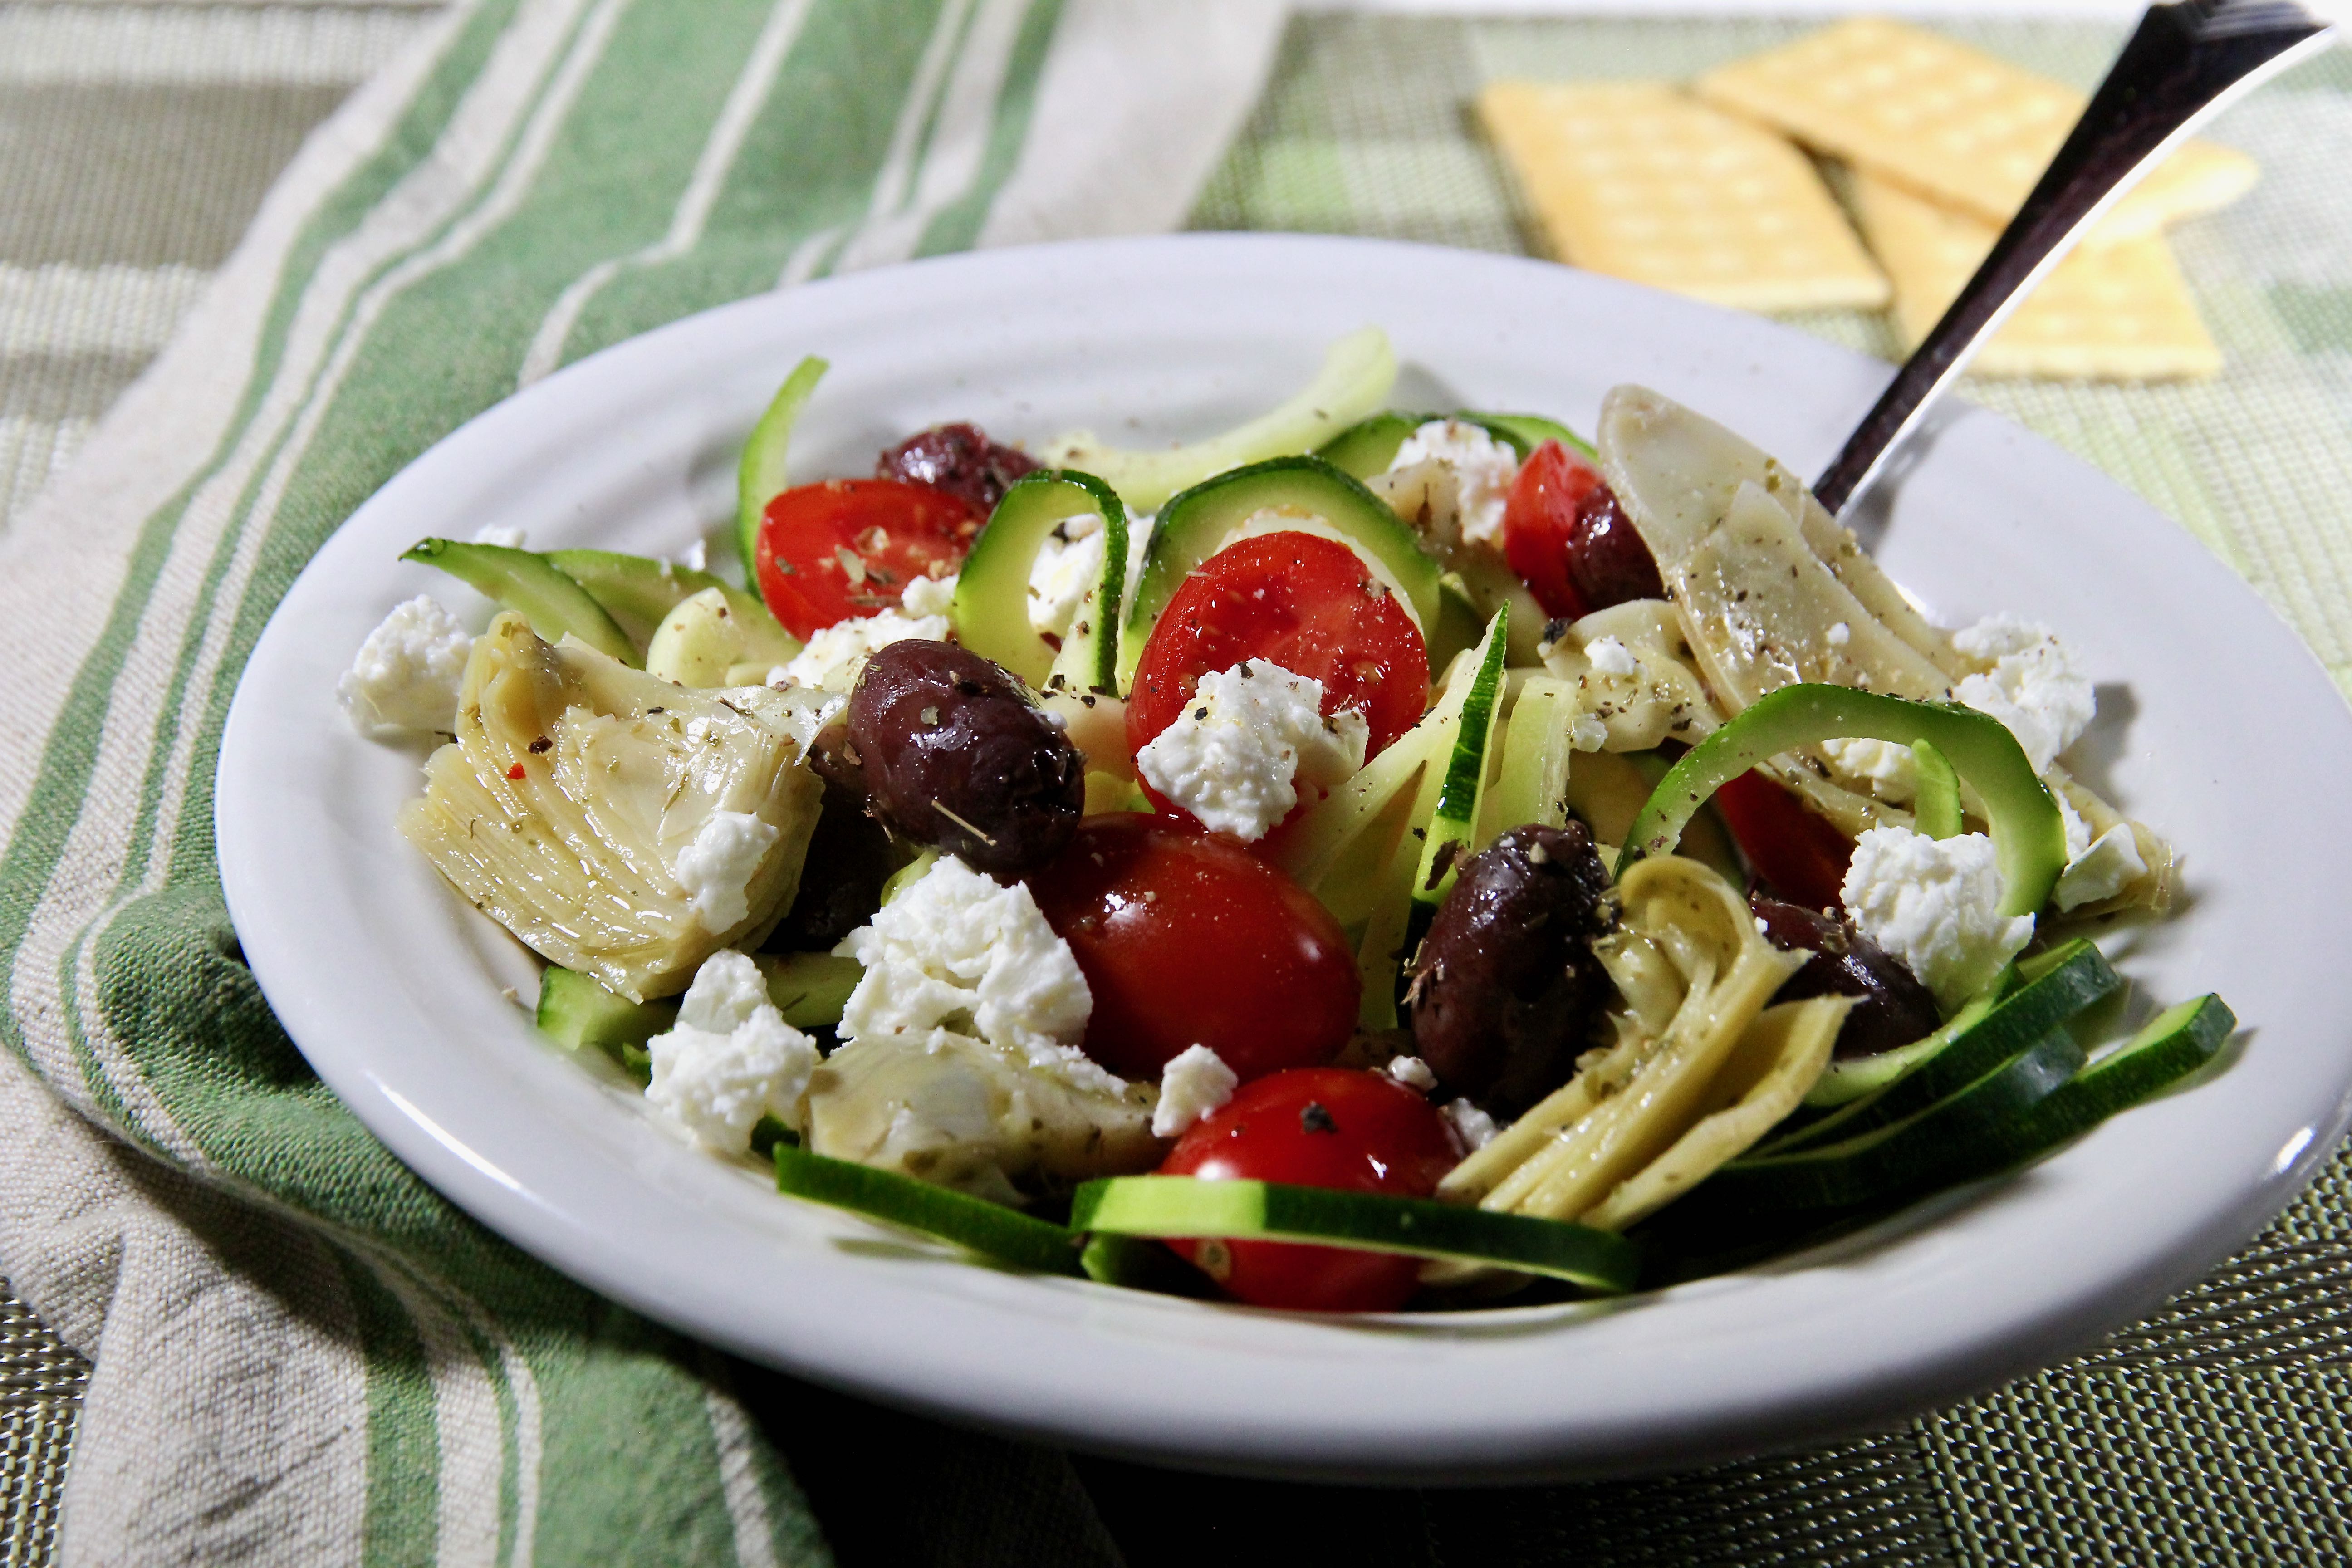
1361 862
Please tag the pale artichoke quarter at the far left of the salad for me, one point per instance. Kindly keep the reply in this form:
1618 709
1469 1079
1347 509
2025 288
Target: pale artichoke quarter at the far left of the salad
575 784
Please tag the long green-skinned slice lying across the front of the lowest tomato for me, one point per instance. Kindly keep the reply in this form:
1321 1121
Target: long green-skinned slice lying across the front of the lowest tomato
1276 1212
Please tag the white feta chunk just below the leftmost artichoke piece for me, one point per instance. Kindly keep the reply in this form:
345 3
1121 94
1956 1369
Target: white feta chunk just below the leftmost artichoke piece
730 1059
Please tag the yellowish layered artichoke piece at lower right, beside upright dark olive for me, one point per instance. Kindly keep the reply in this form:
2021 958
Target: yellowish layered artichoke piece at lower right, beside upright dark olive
1697 1073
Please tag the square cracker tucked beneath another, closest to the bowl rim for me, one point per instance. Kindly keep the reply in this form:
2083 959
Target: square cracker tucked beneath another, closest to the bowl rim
2116 314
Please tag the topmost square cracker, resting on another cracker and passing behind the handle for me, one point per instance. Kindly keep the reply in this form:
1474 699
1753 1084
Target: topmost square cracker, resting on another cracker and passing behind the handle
1953 123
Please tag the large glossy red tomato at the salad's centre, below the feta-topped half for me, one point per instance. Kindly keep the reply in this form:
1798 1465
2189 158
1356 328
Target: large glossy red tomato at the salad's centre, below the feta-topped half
1189 939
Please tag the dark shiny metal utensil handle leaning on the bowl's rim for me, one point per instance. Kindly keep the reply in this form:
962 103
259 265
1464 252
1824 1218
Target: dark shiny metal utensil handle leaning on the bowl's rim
2181 67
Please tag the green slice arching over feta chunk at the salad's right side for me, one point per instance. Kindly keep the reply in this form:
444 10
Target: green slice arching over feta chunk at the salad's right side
2029 836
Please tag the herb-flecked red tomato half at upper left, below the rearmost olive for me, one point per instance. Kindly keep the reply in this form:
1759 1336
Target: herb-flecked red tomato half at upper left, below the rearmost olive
850 547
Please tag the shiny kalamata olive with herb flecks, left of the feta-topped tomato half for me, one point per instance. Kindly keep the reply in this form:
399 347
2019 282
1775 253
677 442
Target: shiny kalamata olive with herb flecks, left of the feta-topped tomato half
958 758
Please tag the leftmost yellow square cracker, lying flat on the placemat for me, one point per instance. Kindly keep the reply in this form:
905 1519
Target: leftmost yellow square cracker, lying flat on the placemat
1643 182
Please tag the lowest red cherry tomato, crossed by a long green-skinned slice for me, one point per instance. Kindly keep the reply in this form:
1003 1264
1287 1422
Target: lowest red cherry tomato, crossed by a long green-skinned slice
1316 1127
